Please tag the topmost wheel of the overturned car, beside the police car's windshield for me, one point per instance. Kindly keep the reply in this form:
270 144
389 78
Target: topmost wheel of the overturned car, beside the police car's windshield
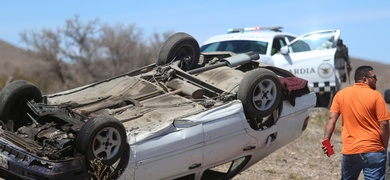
180 47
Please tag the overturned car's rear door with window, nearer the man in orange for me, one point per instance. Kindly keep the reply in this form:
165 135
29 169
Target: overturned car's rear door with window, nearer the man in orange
228 145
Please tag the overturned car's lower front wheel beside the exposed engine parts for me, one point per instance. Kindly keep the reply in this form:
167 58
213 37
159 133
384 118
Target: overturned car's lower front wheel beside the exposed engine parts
102 137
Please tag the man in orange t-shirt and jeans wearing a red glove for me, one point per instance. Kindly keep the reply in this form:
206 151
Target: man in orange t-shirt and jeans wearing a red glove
365 127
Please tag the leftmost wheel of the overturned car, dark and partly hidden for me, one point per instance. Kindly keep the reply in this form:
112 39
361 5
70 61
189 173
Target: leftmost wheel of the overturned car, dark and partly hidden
13 103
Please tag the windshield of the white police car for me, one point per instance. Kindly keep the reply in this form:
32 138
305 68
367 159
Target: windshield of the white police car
236 46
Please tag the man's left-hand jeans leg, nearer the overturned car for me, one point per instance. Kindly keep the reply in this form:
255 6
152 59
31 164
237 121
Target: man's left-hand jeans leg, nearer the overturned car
351 166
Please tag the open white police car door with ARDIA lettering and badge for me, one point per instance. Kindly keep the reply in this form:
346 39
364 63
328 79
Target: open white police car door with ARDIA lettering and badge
311 57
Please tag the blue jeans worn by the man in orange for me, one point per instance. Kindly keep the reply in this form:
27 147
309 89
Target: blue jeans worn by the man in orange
373 165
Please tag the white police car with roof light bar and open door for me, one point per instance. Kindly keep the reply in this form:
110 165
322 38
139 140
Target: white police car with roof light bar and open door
310 56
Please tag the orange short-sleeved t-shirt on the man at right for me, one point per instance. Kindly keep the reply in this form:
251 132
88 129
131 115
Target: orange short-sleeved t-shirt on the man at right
361 109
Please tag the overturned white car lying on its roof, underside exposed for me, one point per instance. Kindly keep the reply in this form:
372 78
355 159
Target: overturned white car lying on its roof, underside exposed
189 116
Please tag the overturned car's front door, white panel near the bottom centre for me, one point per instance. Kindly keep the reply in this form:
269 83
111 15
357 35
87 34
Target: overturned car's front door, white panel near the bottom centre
177 153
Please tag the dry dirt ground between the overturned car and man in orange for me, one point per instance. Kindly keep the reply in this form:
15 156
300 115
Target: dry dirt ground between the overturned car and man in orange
302 158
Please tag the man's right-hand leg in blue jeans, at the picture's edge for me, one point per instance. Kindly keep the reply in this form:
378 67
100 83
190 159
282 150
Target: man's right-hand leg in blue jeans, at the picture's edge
374 165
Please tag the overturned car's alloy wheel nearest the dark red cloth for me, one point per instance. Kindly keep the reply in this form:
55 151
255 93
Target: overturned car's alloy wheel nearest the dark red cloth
260 92
